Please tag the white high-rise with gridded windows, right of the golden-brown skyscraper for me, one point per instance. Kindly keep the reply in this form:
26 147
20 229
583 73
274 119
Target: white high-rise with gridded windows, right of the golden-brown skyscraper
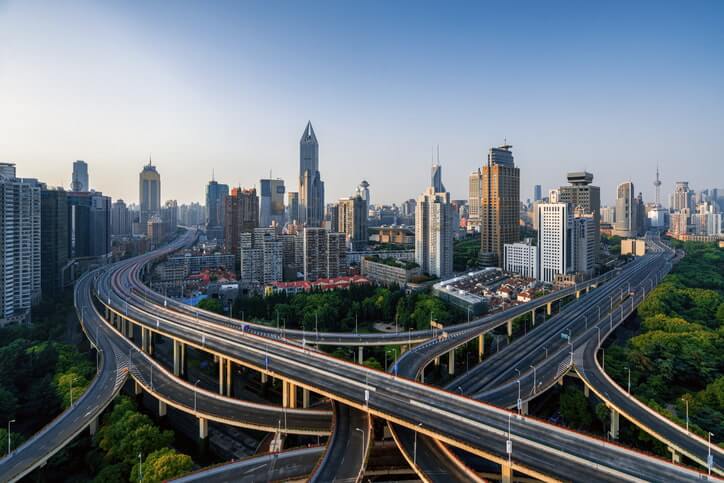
556 247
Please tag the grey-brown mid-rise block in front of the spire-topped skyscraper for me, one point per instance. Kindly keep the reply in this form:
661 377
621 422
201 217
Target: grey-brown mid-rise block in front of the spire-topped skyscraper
323 253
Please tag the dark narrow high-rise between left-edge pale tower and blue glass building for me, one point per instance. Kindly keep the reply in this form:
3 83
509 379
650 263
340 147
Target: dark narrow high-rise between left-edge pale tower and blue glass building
53 239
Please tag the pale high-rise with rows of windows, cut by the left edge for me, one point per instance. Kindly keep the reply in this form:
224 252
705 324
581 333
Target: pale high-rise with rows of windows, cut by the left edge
20 247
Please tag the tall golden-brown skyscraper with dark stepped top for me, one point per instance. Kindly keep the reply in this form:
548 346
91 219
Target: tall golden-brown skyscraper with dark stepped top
499 206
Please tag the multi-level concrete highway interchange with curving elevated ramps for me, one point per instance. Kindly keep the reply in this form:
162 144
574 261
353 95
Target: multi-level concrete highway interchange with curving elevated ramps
122 317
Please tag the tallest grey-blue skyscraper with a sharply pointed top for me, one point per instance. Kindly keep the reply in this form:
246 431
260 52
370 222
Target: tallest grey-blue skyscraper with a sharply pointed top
311 187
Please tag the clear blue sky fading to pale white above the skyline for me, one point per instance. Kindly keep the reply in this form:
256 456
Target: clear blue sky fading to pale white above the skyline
227 88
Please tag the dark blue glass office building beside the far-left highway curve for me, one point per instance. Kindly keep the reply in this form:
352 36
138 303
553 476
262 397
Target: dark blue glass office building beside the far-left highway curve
89 218
